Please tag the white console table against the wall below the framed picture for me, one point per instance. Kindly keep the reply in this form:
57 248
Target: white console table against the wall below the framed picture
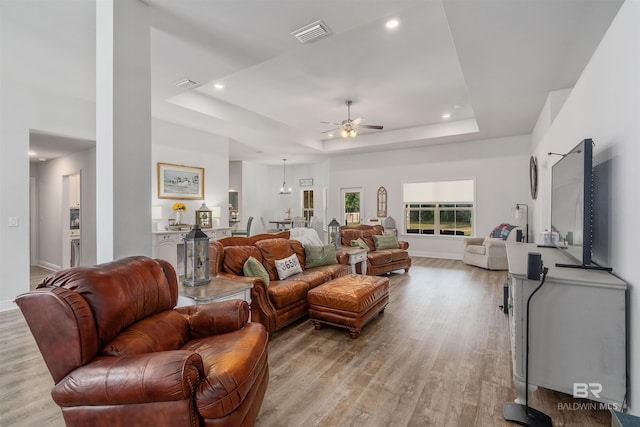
169 245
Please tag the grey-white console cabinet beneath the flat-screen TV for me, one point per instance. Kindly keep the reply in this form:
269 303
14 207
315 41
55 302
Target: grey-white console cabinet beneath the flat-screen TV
577 331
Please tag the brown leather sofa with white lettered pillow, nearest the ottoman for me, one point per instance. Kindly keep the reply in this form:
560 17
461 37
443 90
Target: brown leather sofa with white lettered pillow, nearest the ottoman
282 301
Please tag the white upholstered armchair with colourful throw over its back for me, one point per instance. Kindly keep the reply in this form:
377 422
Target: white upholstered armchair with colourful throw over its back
488 252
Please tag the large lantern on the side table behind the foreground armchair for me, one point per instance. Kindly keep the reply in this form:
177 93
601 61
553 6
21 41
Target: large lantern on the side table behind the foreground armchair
196 257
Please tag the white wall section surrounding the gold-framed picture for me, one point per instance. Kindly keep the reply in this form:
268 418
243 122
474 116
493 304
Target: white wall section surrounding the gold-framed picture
180 145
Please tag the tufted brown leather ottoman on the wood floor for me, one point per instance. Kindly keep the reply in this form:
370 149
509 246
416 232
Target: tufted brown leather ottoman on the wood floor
348 302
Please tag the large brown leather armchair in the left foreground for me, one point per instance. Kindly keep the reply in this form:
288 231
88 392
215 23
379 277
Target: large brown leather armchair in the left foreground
121 355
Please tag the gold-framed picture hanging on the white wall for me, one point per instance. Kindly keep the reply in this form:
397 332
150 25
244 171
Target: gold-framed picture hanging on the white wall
180 182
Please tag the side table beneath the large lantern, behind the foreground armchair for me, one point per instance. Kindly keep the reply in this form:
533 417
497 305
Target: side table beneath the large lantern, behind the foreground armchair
219 289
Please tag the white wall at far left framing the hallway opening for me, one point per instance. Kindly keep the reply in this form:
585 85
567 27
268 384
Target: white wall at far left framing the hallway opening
24 108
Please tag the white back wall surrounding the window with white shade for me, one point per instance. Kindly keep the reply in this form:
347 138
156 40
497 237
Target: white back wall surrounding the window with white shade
500 168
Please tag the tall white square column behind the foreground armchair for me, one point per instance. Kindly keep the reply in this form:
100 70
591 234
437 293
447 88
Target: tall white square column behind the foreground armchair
123 129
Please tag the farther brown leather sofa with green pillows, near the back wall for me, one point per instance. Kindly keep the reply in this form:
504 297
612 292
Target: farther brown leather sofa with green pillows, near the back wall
378 261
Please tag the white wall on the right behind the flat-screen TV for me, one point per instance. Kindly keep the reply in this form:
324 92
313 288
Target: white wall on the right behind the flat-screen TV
605 106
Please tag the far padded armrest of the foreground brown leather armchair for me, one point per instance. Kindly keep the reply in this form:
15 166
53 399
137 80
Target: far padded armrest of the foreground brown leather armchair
216 318
